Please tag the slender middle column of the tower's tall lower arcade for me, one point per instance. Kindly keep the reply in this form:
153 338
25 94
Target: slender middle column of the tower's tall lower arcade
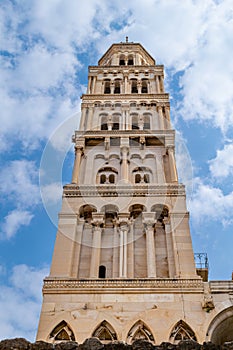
123 228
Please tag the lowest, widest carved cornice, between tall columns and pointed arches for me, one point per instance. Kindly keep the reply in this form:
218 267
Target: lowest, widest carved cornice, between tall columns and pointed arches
166 285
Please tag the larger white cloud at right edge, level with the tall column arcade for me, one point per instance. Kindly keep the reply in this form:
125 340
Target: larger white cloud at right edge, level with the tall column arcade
210 203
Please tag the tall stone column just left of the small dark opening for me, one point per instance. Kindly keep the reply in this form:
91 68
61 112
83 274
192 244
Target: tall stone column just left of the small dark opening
97 221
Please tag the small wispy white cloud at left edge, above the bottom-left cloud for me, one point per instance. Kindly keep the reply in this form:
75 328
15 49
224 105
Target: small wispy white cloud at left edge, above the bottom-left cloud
14 221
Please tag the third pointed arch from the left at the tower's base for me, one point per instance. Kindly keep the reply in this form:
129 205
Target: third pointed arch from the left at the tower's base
140 331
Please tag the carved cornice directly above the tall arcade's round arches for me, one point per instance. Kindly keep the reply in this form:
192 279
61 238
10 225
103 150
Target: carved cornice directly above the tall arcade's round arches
71 190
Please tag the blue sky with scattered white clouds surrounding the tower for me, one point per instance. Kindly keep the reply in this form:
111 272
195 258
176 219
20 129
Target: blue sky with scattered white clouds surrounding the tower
45 48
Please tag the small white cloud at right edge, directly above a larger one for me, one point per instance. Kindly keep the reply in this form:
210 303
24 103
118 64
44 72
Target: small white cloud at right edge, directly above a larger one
222 165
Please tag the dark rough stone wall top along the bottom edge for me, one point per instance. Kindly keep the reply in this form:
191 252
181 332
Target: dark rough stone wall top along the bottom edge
95 344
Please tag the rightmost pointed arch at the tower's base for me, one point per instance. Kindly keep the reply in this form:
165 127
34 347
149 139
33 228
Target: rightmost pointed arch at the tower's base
181 331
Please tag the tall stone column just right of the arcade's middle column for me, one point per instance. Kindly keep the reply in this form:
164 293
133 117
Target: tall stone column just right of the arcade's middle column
149 221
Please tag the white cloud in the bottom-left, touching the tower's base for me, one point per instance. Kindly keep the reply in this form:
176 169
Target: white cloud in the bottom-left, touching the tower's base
20 302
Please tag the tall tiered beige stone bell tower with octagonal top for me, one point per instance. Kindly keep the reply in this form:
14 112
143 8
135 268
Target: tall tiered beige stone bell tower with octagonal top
123 265
